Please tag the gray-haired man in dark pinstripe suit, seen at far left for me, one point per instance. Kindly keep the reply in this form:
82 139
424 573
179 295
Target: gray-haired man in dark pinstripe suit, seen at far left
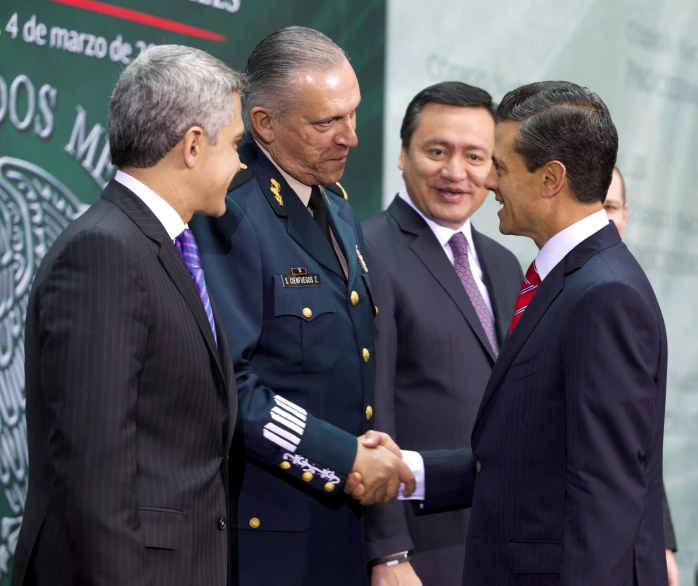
131 398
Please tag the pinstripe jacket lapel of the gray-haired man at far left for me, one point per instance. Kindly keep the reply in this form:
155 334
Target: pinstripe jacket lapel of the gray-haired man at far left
170 258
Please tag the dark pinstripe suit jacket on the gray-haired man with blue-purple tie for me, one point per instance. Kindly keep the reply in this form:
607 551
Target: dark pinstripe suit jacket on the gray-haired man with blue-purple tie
130 407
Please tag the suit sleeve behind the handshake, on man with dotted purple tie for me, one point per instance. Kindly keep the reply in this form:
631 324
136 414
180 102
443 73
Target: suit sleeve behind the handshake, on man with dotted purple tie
387 532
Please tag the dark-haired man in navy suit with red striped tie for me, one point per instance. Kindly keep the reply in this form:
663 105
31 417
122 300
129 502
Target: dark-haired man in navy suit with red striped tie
565 471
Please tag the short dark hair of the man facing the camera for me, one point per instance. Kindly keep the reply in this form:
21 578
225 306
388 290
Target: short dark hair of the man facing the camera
449 93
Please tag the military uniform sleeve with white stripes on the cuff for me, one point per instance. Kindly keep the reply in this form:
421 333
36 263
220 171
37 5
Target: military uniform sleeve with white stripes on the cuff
275 429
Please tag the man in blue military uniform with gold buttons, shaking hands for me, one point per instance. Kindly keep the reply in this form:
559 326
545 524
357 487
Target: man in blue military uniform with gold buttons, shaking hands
285 267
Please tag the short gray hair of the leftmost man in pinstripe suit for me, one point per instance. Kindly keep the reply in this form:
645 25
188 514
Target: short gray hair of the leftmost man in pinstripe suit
162 93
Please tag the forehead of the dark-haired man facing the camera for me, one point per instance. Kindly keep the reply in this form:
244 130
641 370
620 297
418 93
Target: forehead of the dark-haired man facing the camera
455 124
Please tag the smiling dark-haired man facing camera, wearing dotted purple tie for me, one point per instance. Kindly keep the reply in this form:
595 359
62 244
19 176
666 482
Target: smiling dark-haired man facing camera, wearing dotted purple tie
446 294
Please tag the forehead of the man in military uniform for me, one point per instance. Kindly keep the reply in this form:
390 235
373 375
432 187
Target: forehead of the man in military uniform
327 91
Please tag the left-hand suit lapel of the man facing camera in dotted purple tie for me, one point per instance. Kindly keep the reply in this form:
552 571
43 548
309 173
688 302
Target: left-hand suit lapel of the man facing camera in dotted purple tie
431 253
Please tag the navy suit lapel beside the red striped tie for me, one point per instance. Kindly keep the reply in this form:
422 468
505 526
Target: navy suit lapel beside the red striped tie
546 293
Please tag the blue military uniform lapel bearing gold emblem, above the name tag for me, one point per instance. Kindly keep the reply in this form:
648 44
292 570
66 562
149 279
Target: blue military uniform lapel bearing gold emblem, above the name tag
285 202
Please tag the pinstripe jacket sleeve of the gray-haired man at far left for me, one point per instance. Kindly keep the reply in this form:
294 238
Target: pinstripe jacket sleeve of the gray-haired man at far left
92 330
